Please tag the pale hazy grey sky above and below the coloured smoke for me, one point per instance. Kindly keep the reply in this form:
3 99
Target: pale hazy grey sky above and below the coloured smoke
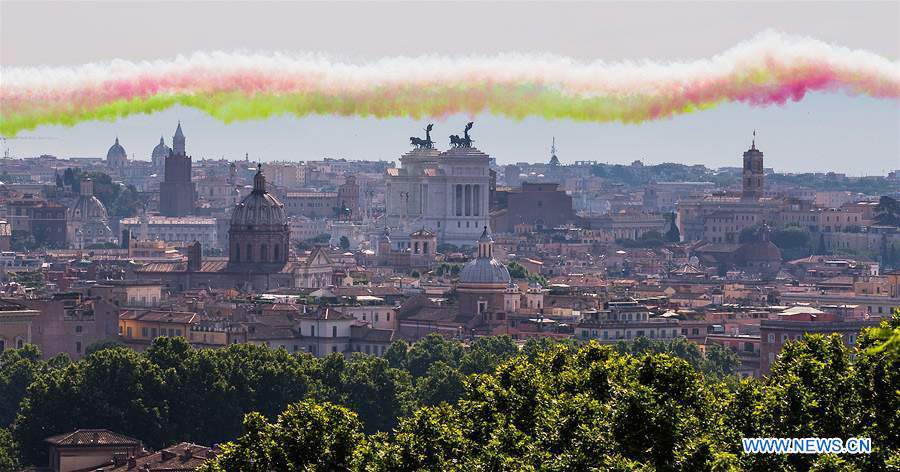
857 135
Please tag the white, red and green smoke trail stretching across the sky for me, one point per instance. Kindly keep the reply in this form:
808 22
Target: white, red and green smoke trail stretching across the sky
769 69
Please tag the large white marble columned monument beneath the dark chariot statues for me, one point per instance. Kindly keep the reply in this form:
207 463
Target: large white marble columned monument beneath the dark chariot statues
444 192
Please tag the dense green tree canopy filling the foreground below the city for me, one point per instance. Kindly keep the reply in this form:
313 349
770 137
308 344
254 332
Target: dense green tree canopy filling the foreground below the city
489 404
